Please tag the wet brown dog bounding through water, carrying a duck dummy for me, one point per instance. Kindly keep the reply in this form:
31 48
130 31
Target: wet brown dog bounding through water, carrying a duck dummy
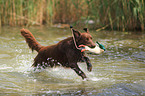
64 52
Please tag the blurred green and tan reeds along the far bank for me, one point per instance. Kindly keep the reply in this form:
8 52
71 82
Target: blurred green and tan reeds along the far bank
103 14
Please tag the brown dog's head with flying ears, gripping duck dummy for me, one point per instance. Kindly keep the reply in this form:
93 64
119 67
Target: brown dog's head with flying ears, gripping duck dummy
83 38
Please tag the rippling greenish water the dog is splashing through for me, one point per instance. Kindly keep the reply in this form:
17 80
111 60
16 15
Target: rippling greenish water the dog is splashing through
120 71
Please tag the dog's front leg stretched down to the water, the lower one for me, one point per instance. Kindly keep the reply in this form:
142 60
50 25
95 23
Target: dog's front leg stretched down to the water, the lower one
75 67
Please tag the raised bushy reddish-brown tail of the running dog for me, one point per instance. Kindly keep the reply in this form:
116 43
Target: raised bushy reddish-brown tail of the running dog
30 39
